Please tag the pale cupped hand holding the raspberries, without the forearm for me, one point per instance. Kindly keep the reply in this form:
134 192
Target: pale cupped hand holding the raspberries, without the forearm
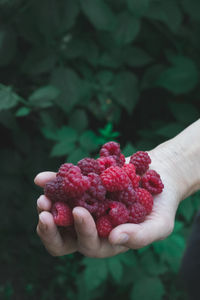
158 225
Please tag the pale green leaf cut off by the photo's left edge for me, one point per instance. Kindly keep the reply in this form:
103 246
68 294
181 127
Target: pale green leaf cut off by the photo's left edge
8 98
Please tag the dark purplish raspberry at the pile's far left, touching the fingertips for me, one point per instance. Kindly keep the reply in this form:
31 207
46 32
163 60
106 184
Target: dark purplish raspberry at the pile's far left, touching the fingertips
53 190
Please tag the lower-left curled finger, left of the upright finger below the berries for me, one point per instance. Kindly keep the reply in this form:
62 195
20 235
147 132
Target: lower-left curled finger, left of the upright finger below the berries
51 237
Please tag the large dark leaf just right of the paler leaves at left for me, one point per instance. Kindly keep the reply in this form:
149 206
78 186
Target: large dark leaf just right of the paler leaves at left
70 85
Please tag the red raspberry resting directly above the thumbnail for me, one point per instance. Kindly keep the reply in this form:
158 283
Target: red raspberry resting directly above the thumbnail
118 213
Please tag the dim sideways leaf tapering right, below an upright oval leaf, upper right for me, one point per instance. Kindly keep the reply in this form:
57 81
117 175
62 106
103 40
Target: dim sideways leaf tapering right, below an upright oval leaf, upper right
136 57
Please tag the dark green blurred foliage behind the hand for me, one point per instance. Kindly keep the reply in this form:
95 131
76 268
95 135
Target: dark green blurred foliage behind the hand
73 75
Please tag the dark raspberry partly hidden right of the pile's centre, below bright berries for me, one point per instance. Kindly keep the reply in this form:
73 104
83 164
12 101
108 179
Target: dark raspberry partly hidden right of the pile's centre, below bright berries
127 196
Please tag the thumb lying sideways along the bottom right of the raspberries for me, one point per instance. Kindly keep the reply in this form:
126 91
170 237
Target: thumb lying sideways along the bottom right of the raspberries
136 236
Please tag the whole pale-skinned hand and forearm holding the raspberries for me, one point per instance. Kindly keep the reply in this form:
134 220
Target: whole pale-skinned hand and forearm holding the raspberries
177 161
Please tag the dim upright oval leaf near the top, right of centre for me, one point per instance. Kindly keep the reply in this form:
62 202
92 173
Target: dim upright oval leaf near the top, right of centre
127 28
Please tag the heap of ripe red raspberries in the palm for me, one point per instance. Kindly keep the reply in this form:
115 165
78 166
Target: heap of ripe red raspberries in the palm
113 191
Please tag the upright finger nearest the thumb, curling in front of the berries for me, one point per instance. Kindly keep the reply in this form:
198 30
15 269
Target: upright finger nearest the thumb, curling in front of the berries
88 239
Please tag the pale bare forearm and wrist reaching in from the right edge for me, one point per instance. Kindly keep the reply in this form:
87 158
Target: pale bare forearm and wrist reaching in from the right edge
182 153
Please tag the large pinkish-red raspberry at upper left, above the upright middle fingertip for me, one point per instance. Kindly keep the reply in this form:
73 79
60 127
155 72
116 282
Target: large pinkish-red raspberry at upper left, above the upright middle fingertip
74 183
